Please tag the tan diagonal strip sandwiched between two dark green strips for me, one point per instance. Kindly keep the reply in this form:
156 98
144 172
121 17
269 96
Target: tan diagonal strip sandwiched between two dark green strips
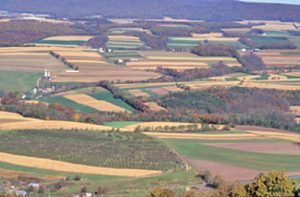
94 103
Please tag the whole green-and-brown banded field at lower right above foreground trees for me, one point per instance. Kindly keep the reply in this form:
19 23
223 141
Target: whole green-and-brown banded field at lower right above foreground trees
237 159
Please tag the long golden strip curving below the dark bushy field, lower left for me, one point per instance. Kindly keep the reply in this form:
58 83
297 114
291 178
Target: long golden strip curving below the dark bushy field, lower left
48 164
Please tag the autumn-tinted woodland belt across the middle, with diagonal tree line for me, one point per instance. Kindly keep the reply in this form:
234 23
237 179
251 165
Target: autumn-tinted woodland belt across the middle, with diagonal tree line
232 106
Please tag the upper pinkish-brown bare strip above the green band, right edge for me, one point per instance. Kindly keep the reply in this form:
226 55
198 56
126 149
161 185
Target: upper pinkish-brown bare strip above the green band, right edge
286 148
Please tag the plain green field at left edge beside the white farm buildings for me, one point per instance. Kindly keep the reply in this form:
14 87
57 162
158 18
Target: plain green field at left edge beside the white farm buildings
18 80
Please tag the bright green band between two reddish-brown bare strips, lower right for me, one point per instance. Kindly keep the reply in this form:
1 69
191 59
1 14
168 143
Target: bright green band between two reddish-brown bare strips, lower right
195 149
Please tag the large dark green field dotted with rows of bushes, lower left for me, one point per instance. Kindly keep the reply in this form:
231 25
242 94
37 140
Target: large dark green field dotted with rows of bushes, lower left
144 153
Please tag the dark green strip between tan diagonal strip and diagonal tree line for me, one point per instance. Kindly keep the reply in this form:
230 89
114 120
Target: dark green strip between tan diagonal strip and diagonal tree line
109 97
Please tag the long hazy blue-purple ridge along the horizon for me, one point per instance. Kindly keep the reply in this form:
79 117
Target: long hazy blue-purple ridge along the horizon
217 10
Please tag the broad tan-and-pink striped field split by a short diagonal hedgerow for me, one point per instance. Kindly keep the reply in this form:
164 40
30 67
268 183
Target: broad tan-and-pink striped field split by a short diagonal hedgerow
92 66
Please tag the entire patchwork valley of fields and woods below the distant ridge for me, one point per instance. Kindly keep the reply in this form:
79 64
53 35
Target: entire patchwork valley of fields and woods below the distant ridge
132 105
